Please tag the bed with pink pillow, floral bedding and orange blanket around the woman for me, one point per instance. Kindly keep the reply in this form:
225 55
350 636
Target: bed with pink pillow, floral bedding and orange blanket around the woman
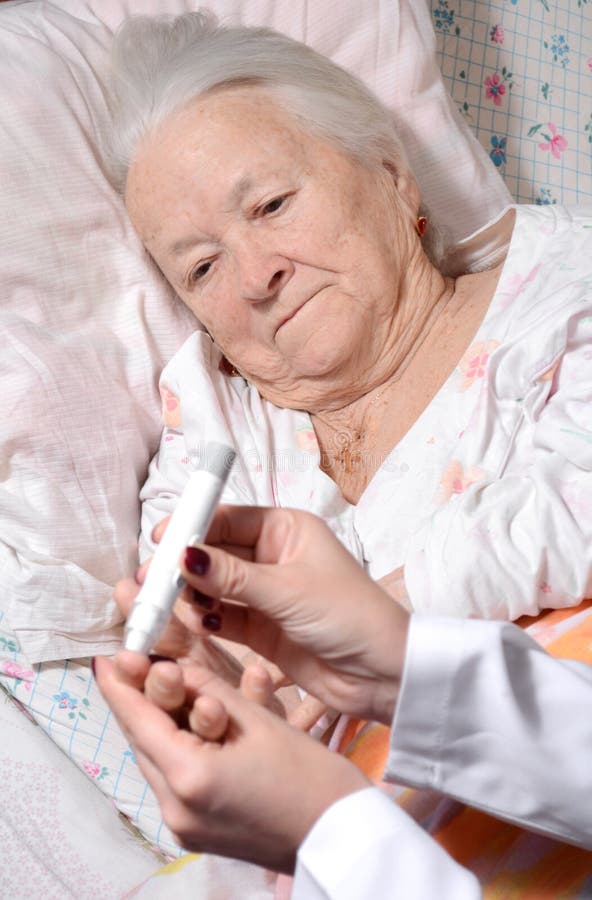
493 101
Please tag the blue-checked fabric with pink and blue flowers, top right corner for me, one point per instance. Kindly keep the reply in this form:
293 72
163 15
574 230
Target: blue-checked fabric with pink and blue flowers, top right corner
521 74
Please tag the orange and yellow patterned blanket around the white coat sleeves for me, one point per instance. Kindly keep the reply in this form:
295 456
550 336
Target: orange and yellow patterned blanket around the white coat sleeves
510 862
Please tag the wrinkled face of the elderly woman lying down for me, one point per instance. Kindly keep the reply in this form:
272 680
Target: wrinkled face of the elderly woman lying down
288 251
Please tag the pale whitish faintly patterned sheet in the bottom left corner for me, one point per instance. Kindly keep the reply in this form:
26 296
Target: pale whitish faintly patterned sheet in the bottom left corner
59 836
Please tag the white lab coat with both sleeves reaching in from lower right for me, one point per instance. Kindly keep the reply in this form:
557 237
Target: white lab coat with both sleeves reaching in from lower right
486 716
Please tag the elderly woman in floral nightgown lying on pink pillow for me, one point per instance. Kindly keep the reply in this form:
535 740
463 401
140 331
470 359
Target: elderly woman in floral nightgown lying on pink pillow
439 424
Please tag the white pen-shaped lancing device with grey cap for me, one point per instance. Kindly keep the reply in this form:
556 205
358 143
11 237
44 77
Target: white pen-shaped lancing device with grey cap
189 525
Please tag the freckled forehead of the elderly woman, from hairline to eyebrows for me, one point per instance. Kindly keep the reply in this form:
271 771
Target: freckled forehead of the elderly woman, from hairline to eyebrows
221 144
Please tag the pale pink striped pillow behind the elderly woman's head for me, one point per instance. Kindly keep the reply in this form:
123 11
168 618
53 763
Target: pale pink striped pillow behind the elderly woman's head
87 321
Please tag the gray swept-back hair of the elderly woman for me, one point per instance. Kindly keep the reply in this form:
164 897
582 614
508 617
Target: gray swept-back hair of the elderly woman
160 64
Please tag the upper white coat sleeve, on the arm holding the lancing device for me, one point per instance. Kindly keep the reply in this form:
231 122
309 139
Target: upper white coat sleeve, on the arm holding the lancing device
486 716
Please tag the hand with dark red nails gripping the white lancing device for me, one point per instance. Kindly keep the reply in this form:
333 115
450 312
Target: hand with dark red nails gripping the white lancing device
279 581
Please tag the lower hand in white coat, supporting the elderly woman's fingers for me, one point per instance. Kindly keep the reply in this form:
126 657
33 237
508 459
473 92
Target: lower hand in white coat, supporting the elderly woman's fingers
254 795
